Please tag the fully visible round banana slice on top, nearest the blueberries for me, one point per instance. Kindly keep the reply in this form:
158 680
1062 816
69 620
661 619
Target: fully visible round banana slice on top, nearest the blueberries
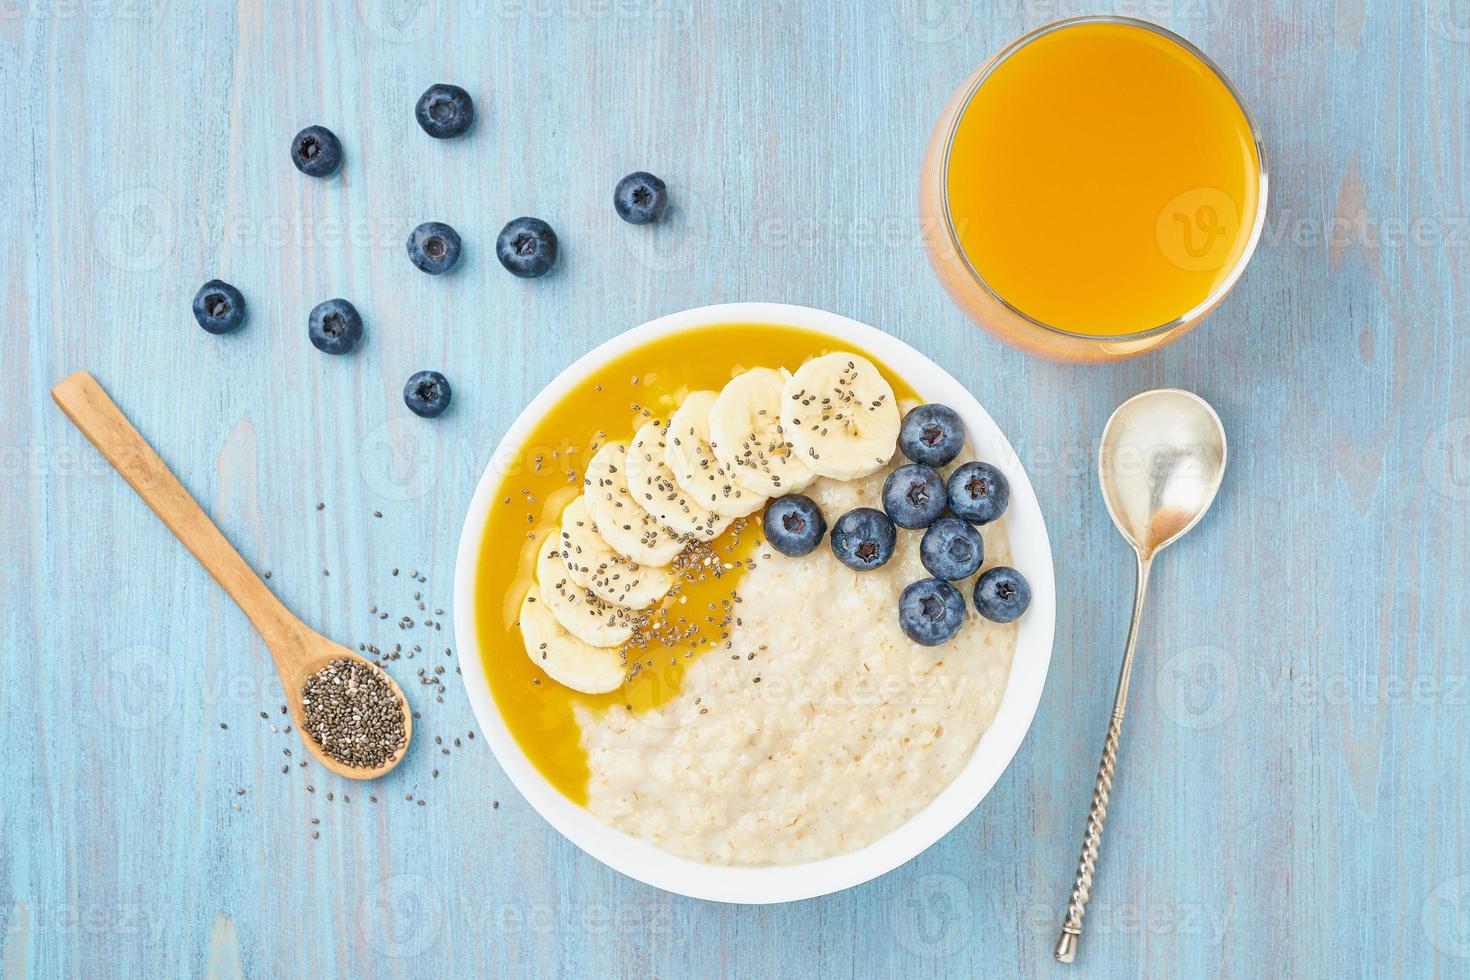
842 417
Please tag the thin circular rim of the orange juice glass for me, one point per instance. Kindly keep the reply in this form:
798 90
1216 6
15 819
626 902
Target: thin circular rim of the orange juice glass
1188 318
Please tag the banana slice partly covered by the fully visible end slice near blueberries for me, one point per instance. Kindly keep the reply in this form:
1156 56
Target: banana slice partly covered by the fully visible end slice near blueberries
747 436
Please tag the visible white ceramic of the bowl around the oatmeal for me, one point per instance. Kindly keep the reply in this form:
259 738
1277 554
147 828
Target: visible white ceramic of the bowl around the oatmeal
1031 553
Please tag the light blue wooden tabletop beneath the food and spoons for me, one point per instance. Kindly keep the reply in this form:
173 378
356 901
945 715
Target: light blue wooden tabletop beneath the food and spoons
1293 796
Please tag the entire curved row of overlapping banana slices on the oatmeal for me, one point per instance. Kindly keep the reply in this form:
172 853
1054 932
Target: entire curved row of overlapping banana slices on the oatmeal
718 459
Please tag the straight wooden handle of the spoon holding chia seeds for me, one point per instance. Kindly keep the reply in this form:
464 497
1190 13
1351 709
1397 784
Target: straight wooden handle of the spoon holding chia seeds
101 421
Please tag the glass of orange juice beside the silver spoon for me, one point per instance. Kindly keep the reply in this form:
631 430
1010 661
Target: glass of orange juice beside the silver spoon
1094 190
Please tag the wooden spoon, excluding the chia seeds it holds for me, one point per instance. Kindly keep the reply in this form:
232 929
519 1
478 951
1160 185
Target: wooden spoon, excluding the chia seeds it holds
296 649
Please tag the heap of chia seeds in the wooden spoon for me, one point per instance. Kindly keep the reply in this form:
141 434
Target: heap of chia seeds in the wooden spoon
354 713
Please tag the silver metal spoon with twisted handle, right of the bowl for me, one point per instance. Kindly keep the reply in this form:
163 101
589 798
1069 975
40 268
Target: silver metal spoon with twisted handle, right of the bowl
1161 465
